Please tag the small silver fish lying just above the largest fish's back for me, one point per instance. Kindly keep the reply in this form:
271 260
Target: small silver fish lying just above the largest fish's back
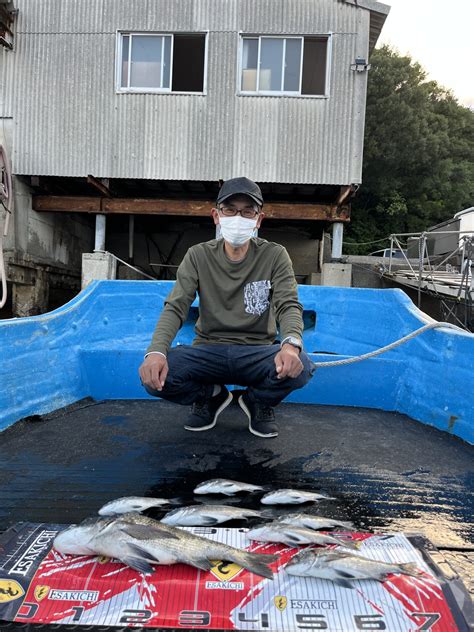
196 515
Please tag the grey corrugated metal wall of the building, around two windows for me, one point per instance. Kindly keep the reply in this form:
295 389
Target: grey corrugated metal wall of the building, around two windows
69 120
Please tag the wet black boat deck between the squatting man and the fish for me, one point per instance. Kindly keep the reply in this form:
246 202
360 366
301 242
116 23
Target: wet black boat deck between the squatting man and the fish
386 471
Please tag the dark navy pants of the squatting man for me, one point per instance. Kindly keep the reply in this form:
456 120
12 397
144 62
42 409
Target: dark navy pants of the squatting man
193 371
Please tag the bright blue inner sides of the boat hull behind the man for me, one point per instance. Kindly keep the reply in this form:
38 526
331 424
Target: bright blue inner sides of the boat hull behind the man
93 346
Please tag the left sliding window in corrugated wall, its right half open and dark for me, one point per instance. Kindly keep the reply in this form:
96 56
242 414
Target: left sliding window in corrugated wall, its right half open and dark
161 63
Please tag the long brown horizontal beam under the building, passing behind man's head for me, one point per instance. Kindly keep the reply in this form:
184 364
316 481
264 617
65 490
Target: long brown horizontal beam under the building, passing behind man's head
193 208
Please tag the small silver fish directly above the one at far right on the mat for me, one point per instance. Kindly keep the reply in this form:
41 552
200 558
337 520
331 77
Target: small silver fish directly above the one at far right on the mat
294 536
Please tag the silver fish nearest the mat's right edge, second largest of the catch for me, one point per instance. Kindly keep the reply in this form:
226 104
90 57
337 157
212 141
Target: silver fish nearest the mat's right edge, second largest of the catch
342 567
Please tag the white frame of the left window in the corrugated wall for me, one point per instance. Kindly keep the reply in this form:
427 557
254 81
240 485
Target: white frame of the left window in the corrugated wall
144 90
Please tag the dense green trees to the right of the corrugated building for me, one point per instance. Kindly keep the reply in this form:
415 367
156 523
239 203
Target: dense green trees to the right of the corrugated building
419 153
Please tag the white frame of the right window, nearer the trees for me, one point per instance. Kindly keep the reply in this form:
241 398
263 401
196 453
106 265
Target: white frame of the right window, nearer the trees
283 93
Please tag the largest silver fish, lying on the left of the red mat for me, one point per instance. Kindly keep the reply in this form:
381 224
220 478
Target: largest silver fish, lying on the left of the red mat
139 542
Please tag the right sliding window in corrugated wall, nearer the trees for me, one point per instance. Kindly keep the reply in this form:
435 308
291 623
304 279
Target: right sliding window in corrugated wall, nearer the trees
284 65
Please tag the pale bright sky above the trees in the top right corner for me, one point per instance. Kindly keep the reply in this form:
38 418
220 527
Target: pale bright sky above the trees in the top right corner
439 34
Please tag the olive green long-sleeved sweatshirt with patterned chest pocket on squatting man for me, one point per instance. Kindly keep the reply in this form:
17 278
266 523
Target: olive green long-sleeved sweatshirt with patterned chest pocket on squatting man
239 302
